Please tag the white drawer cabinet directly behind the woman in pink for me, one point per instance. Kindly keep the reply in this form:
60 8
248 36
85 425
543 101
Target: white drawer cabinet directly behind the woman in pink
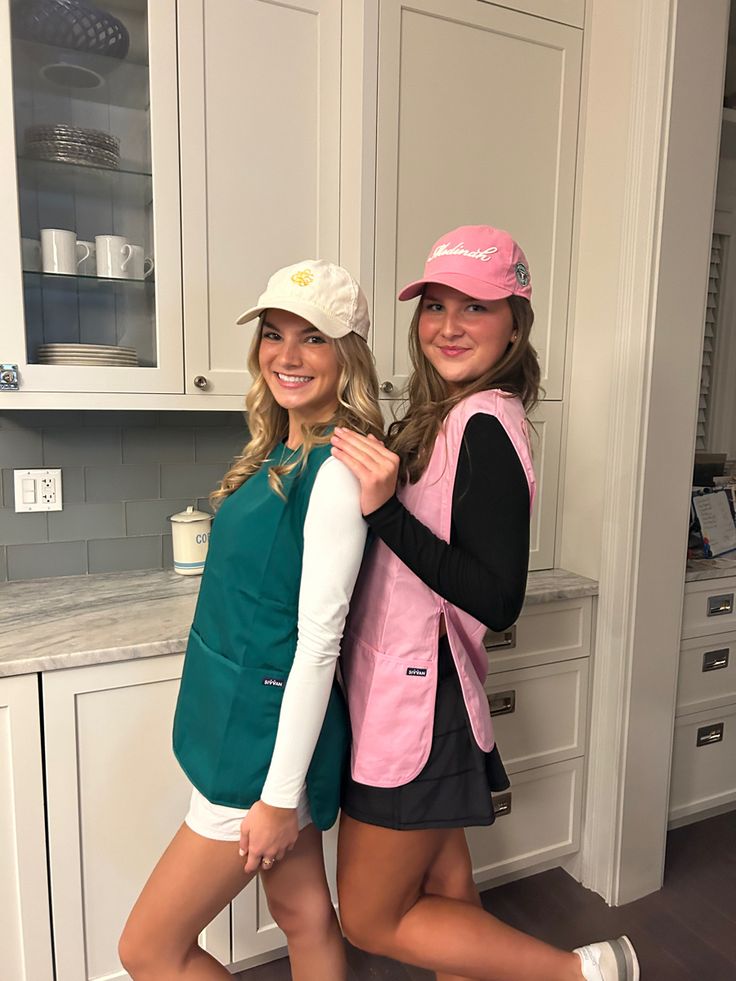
538 689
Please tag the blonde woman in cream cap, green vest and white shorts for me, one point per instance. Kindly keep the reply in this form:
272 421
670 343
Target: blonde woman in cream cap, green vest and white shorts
261 727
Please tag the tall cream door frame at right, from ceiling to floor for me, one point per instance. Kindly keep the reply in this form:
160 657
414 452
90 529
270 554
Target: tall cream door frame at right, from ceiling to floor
654 77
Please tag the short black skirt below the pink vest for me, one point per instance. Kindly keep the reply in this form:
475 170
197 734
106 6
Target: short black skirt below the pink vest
453 790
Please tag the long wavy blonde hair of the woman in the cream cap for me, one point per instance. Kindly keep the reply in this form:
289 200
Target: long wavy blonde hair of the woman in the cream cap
268 422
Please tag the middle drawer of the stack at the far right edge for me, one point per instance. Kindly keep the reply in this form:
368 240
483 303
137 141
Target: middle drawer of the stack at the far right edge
707 678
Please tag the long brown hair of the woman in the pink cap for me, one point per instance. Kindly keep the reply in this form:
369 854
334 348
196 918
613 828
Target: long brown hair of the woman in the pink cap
429 398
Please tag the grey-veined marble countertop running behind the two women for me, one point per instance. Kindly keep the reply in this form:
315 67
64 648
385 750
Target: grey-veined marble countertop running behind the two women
46 624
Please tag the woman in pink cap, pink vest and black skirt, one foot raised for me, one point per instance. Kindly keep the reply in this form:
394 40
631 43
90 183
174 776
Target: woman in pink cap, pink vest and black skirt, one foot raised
449 500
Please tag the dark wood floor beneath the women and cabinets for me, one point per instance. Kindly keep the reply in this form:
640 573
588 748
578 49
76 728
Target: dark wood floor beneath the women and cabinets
684 932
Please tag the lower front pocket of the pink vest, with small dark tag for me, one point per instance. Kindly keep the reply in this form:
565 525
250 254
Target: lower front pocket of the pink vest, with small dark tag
391 713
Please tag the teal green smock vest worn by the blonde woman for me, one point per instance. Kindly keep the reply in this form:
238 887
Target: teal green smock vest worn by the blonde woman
241 648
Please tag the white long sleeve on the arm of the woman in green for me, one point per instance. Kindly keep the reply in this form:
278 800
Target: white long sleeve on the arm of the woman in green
334 540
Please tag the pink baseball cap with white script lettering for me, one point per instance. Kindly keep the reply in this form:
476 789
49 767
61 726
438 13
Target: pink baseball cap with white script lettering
483 262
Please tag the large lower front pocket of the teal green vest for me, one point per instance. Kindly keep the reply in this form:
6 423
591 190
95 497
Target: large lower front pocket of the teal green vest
225 724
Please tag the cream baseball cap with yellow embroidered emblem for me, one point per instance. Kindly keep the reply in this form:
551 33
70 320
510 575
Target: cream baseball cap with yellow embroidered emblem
323 293
